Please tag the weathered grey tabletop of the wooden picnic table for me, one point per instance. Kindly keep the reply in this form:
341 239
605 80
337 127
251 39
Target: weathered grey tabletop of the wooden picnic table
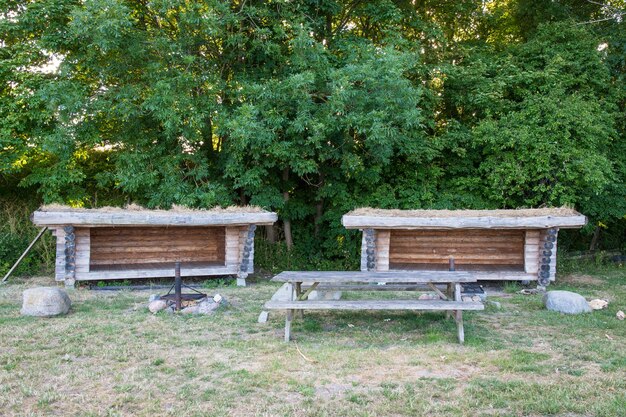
374 276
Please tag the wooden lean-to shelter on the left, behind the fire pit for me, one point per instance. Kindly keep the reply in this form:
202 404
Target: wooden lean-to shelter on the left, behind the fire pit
113 243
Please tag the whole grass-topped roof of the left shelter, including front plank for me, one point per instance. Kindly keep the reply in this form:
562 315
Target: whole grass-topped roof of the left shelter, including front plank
134 215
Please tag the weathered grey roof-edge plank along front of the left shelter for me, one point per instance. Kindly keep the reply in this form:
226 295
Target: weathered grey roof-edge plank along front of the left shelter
156 218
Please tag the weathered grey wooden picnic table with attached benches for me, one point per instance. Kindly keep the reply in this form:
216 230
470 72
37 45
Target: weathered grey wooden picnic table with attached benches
301 283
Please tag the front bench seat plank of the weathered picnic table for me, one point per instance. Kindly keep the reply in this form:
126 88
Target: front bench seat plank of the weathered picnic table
374 305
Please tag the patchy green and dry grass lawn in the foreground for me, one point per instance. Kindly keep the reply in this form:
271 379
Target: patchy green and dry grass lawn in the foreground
110 356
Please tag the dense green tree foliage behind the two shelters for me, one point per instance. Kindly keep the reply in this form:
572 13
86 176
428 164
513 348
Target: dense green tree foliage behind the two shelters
312 108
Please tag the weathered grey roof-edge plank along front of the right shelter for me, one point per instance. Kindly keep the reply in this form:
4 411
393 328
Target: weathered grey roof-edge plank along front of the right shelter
482 222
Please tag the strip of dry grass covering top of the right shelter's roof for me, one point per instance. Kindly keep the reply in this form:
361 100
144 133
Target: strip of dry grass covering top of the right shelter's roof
560 212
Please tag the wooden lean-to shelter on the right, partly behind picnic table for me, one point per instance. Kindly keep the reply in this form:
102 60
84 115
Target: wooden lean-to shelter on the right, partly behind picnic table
494 244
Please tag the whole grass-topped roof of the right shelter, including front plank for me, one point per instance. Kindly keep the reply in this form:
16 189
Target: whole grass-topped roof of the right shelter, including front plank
514 218
